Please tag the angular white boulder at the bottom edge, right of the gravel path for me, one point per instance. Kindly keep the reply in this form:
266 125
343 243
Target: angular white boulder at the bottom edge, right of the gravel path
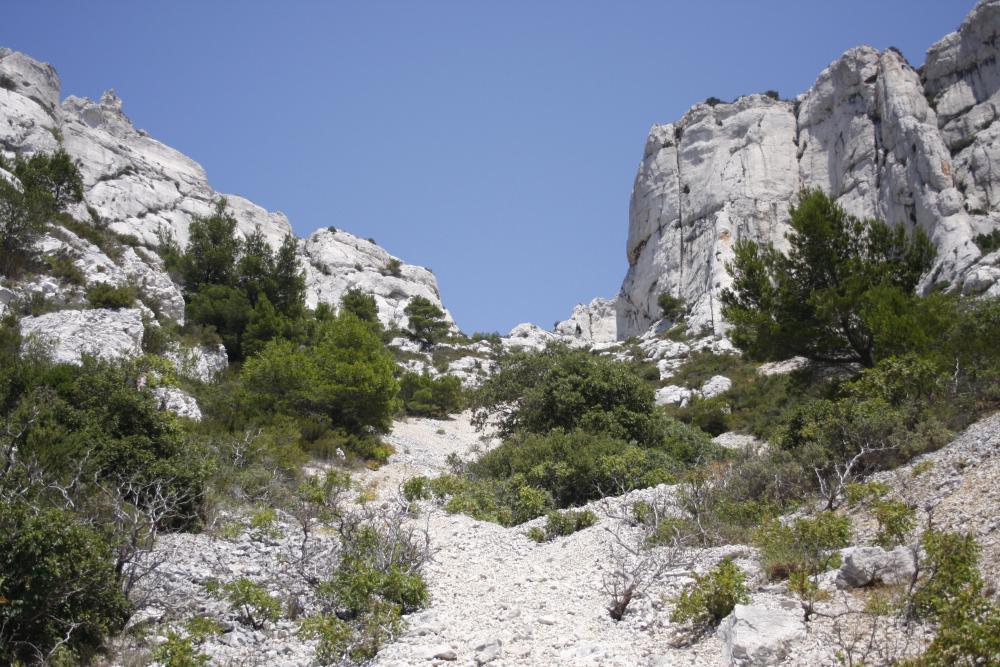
754 635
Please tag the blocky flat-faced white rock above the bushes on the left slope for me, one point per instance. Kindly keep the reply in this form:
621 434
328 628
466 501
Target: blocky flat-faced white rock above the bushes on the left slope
68 335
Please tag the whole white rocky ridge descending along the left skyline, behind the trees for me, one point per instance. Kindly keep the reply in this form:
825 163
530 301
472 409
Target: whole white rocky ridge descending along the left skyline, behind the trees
145 191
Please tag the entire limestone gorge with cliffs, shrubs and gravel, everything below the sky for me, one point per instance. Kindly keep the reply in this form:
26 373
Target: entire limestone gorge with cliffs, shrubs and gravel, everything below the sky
224 444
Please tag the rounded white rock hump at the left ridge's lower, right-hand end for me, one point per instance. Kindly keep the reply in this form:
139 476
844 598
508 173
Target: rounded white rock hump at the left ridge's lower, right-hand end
338 261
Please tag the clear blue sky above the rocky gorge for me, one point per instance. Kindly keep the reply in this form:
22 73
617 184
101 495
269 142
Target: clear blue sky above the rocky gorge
494 142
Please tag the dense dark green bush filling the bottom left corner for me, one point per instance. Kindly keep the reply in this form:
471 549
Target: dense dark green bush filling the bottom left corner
57 585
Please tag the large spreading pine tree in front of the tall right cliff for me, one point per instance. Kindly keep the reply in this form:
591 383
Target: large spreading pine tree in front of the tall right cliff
843 293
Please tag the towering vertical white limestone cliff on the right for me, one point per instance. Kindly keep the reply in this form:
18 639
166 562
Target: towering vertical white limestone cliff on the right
911 148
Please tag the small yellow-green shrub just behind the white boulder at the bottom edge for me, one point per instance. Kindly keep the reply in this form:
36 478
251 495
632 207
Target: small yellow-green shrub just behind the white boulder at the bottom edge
712 596
